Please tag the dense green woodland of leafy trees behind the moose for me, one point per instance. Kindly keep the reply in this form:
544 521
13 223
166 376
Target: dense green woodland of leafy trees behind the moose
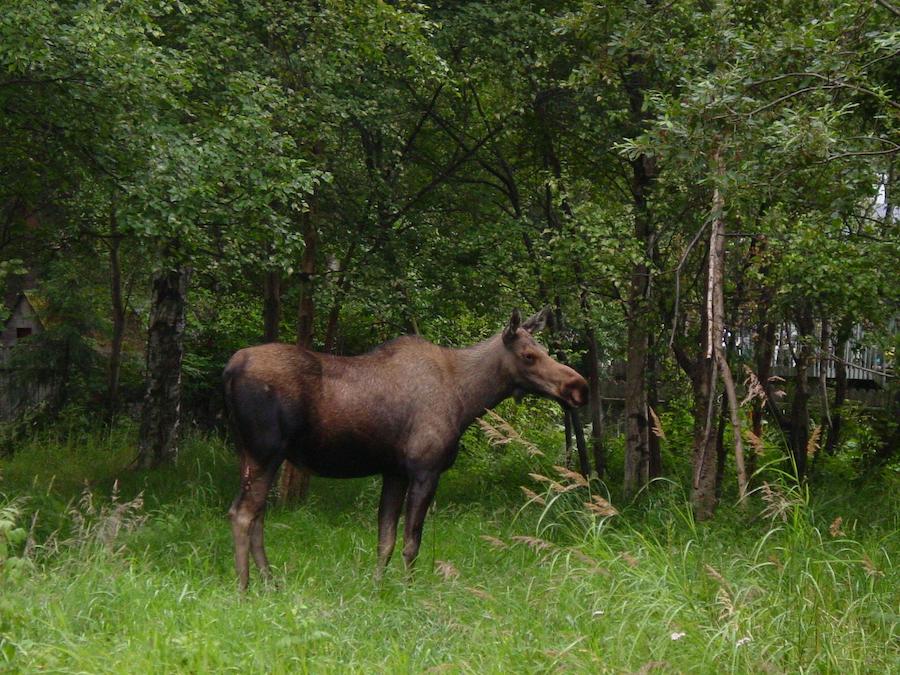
681 182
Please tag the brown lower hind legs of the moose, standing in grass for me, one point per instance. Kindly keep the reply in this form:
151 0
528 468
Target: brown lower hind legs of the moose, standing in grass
247 517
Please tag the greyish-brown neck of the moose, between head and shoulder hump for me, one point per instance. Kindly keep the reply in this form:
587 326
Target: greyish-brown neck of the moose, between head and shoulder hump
482 381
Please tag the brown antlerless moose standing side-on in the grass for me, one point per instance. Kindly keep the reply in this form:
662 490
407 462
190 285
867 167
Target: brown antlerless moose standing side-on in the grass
398 411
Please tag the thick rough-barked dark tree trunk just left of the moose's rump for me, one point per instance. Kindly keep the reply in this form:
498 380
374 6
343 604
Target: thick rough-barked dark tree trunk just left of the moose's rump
161 413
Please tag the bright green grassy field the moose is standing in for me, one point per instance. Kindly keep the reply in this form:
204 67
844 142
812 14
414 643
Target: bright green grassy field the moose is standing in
116 582
